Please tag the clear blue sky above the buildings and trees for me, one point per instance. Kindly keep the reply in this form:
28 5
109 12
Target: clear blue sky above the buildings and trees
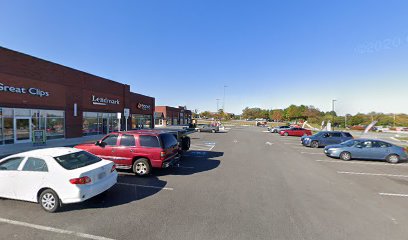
269 53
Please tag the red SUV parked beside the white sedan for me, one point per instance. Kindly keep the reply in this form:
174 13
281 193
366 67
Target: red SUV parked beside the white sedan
137 150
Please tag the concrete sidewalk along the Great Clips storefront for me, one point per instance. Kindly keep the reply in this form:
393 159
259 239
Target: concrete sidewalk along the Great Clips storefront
6 150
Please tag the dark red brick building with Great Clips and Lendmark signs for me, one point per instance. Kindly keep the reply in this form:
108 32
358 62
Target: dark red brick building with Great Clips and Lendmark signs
40 95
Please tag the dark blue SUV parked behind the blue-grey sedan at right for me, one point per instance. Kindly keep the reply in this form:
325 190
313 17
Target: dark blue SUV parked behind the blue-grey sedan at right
325 138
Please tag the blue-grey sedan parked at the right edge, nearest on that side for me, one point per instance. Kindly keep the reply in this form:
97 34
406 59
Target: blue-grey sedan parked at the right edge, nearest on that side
367 149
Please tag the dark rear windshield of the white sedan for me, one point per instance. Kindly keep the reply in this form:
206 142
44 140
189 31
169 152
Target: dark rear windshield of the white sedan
77 160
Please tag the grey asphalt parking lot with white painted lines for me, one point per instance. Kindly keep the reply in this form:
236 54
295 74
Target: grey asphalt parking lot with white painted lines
244 184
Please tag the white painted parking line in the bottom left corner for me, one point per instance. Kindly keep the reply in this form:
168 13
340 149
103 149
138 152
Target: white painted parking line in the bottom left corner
54 230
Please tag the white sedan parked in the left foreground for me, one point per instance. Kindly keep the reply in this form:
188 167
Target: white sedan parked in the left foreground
55 176
